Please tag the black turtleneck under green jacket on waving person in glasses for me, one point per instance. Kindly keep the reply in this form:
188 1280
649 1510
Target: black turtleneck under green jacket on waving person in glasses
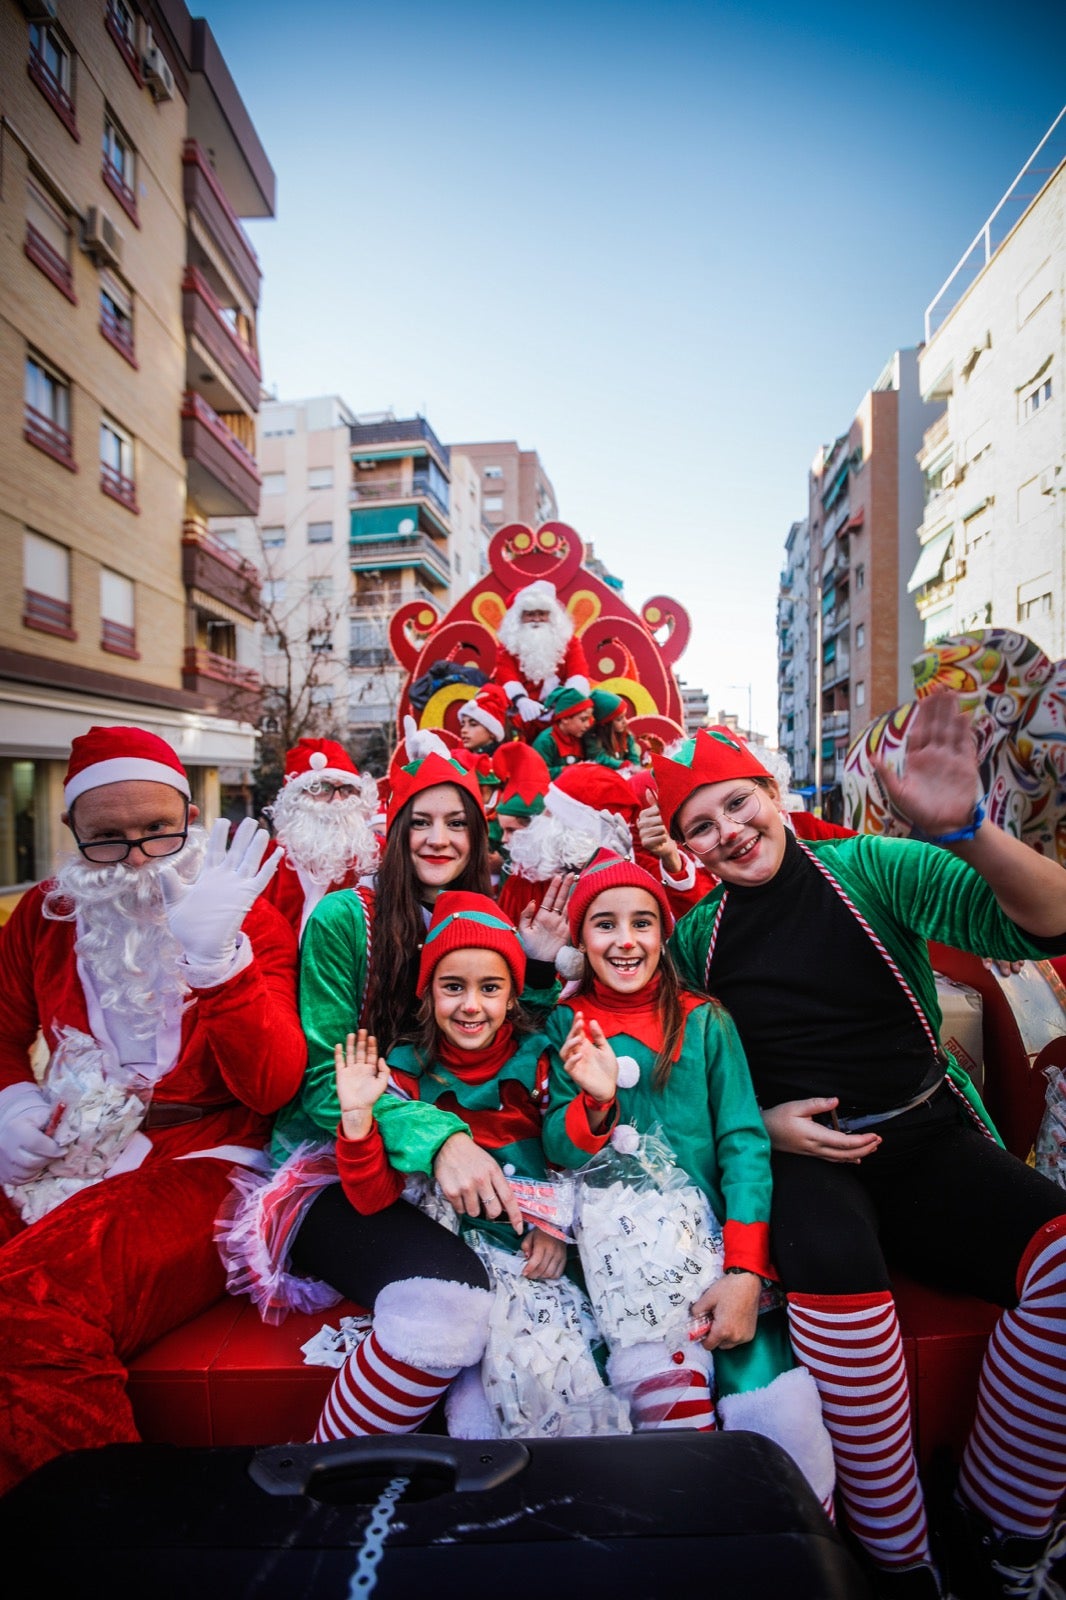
817 1007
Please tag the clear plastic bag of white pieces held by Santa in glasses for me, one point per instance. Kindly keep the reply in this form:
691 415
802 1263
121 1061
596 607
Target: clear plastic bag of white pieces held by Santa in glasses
98 1108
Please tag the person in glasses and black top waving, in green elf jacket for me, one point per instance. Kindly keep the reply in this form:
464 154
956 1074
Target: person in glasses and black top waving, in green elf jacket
883 1151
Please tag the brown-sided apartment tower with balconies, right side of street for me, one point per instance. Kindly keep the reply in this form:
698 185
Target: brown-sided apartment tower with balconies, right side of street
865 502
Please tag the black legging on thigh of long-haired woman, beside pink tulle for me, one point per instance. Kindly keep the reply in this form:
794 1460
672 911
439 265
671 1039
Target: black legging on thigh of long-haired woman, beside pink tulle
361 1255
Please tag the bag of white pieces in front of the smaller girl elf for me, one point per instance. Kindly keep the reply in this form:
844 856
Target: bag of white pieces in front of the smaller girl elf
539 1370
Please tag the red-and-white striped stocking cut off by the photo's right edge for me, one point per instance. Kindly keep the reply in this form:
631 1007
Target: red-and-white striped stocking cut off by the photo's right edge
1014 1468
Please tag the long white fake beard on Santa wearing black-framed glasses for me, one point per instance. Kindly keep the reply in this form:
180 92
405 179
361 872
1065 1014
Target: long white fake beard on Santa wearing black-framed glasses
124 937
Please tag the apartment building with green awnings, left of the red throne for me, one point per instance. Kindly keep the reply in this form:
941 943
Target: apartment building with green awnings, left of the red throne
401 532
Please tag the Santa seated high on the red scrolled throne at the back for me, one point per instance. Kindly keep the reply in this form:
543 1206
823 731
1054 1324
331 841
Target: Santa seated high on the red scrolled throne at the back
537 652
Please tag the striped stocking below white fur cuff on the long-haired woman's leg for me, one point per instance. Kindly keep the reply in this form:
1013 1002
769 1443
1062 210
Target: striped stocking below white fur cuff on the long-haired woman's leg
379 1394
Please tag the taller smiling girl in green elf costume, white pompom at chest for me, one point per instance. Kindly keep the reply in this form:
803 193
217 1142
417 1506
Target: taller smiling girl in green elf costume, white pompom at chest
686 1071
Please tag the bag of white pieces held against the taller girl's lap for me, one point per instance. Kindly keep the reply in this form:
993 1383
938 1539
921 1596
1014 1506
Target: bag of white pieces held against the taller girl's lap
649 1242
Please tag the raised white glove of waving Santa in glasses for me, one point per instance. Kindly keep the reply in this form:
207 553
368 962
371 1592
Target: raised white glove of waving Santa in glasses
206 916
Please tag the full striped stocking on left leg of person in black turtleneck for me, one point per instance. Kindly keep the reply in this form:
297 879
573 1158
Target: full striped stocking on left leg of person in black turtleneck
852 1346
